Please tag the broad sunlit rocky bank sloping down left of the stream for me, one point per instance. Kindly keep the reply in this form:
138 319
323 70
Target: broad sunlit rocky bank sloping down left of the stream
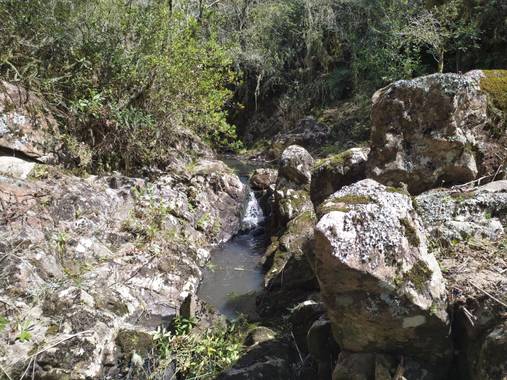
88 261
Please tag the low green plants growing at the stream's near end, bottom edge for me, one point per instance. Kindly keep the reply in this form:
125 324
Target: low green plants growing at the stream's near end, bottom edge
202 356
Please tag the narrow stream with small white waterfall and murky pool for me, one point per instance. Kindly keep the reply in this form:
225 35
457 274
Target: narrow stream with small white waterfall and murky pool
234 274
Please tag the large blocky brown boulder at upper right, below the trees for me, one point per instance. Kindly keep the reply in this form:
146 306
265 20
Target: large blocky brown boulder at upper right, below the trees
434 131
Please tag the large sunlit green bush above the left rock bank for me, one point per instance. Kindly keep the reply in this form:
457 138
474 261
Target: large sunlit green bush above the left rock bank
123 77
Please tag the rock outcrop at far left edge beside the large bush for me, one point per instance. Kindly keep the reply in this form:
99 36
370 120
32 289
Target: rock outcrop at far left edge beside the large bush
26 127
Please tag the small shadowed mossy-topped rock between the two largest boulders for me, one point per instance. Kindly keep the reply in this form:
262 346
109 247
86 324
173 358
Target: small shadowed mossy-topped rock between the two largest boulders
332 173
